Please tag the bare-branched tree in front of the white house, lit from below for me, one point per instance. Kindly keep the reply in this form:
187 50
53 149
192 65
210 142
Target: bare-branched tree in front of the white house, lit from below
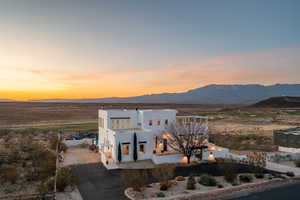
187 138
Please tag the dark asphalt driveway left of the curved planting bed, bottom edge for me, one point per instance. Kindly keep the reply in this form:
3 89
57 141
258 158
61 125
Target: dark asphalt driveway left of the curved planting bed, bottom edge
96 183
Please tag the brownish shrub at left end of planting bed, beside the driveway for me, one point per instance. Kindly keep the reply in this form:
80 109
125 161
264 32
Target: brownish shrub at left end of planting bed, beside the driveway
135 178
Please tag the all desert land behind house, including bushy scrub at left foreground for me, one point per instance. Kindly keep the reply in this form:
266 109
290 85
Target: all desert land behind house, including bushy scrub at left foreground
26 131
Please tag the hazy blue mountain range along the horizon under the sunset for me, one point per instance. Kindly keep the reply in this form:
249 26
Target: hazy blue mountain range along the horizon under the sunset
210 94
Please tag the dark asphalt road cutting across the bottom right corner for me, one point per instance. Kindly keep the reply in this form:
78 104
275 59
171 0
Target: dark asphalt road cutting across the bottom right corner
291 192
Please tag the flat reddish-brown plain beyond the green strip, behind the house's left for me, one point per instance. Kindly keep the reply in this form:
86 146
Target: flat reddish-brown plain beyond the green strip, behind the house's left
22 113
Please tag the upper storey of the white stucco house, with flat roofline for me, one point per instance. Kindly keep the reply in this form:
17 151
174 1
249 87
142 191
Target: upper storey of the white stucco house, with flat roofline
136 119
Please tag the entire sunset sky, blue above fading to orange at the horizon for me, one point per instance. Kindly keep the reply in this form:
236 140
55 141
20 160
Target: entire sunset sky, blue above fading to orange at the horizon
87 49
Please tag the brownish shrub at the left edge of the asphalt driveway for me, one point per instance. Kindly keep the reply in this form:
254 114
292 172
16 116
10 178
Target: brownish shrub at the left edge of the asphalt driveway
64 178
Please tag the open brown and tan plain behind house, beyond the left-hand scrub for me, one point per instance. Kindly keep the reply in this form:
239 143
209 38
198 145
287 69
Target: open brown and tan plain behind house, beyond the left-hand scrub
250 126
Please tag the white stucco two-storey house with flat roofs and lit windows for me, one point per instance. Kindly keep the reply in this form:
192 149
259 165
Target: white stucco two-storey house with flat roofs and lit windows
118 127
